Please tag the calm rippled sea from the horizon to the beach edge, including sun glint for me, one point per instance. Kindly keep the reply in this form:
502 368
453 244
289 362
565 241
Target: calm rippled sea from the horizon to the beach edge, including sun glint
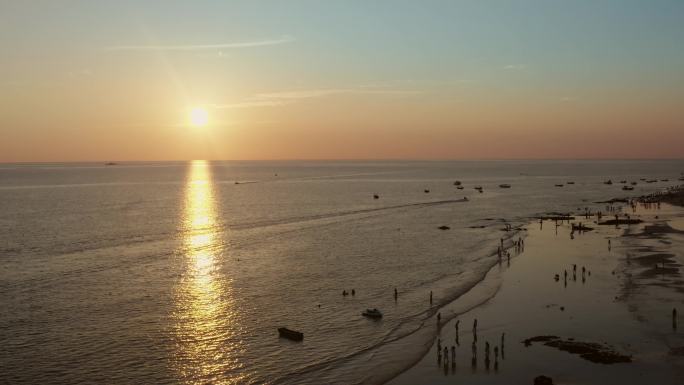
181 272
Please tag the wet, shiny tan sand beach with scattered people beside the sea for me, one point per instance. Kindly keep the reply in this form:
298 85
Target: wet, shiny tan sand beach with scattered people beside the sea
622 306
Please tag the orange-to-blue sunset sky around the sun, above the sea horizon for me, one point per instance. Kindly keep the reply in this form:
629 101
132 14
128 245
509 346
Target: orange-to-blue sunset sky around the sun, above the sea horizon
89 80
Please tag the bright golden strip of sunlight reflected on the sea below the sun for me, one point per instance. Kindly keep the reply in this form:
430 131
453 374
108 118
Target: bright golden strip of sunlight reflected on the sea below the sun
205 316
